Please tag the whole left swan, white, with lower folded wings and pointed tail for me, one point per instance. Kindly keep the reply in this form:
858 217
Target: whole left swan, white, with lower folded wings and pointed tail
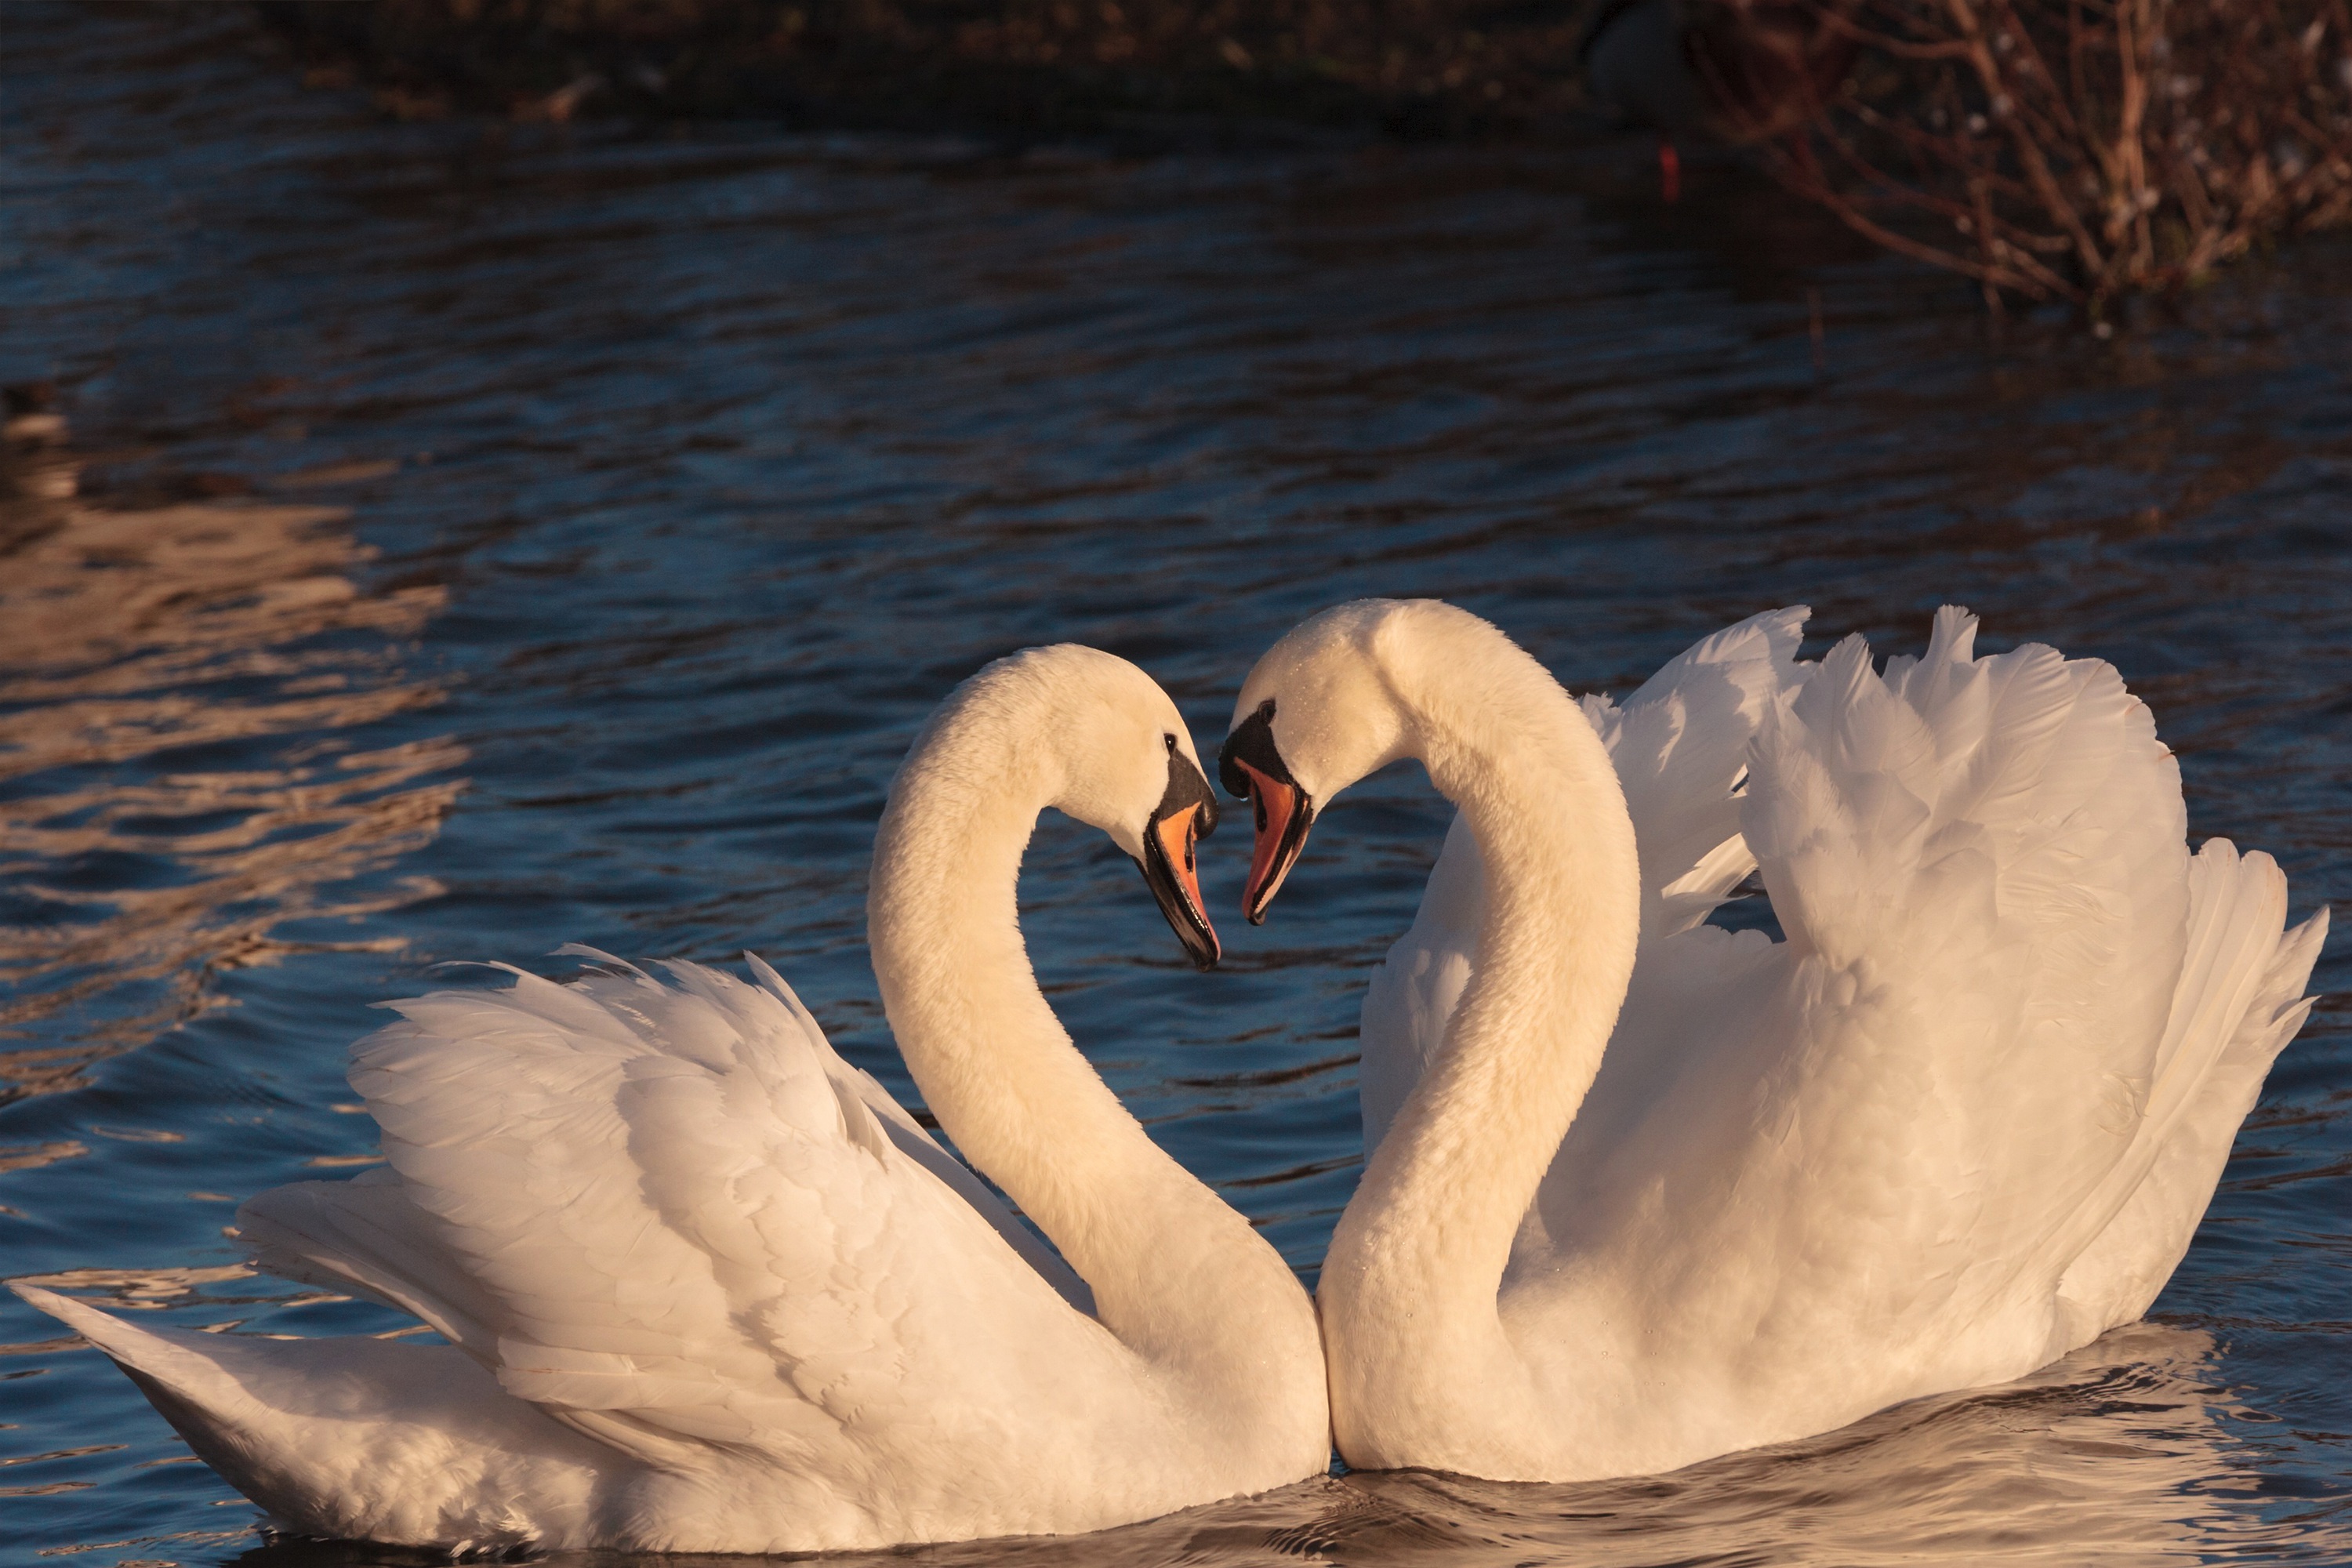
709 1289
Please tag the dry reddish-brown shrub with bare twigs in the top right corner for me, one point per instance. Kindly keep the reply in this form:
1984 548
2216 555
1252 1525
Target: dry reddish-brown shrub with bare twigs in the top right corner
2083 149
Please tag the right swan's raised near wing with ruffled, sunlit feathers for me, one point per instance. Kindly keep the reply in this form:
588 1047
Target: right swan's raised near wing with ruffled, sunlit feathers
1982 871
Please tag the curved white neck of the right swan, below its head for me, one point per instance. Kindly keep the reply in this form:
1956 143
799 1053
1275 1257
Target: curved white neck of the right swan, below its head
1443 1198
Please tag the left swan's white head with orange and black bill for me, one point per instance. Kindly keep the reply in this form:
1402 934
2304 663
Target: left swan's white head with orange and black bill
1104 746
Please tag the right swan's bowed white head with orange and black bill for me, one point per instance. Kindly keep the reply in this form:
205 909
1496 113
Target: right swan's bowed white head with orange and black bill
1318 713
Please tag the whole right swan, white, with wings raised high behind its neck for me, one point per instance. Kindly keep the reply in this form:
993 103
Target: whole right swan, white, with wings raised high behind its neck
1960 1123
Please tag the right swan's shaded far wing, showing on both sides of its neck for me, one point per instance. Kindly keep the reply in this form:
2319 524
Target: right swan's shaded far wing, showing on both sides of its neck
1681 746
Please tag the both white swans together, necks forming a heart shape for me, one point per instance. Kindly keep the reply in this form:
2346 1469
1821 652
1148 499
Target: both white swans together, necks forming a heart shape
1641 1191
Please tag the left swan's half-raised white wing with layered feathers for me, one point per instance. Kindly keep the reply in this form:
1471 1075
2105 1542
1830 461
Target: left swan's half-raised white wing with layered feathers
671 1217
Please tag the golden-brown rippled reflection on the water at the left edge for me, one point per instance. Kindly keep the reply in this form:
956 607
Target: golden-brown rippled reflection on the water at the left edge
175 784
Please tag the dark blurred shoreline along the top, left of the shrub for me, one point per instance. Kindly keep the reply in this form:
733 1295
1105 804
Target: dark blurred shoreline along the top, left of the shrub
1140 74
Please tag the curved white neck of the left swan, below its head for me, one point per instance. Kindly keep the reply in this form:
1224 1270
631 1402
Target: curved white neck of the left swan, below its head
1175 1271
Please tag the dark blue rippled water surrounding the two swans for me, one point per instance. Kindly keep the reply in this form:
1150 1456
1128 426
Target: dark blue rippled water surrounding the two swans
495 537
